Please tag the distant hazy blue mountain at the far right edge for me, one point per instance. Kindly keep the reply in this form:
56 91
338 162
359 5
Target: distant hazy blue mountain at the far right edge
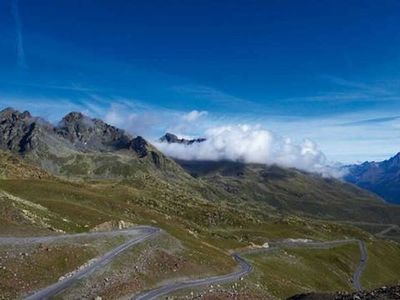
382 178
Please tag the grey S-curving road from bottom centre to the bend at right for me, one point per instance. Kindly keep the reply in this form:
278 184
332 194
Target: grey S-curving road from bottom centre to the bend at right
245 268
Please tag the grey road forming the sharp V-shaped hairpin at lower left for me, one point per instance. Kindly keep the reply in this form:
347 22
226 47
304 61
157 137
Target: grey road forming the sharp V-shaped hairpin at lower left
140 234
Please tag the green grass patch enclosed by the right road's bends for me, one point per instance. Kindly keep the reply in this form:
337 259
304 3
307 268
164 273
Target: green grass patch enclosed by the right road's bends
285 272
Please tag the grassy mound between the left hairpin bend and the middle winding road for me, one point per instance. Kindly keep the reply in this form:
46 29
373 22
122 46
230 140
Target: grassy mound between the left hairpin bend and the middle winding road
145 266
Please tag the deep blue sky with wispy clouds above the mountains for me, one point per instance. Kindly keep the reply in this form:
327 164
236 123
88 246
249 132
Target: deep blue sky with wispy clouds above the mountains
320 72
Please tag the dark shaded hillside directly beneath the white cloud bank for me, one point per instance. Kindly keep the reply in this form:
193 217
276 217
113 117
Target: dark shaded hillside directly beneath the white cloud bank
293 192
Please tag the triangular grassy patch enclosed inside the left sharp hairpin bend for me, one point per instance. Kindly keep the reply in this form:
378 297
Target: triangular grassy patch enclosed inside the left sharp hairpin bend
29 267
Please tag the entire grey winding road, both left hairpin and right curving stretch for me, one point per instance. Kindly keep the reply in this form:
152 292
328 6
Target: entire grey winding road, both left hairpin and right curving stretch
142 233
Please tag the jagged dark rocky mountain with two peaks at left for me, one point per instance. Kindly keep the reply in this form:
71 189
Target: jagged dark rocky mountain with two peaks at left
80 146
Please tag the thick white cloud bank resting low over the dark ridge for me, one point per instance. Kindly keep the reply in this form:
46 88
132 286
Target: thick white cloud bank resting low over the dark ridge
251 144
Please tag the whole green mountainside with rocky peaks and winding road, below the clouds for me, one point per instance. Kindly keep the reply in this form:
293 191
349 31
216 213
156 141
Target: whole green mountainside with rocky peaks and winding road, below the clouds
66 201
